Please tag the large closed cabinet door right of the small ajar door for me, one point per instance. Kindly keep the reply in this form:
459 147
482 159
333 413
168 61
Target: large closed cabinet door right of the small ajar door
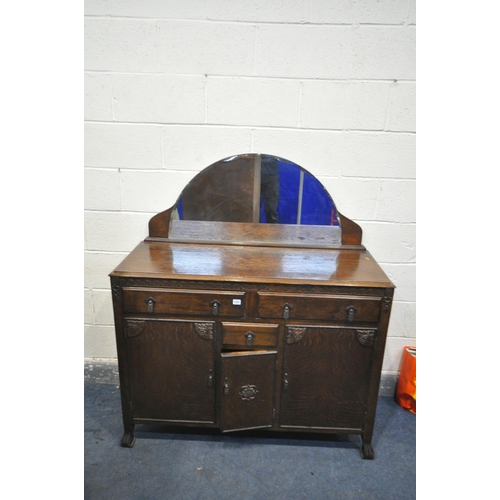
326 377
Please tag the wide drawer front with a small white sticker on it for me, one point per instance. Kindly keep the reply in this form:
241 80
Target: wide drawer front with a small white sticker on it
183 302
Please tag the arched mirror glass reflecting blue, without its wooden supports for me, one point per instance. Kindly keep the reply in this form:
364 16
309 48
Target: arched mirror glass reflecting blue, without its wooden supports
256 188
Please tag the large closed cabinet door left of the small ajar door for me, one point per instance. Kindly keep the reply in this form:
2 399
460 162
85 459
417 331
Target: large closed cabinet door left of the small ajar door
171 370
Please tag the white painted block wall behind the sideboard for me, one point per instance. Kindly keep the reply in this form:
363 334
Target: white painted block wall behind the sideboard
172 86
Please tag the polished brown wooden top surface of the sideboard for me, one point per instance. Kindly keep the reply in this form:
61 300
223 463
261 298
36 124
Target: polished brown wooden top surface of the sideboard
214 262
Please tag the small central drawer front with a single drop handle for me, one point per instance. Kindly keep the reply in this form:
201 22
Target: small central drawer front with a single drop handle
249 334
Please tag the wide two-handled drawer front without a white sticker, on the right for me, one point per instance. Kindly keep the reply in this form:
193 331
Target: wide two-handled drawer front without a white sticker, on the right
319 307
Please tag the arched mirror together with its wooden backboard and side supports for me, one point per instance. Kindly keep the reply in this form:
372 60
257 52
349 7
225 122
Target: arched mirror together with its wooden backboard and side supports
268 197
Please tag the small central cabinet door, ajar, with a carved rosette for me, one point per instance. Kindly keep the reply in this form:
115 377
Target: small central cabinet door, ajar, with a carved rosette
248 389
